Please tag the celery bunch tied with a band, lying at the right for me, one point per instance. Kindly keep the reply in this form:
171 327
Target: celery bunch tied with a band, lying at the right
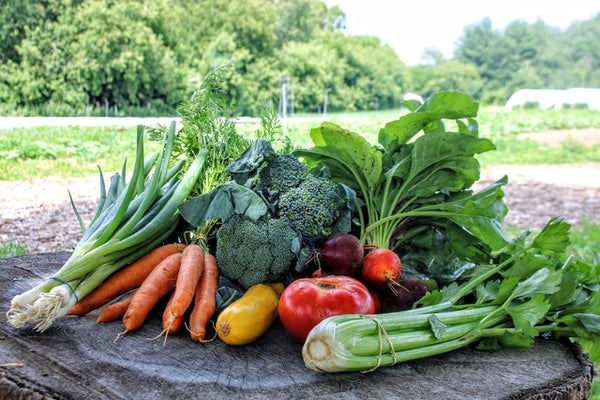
532 290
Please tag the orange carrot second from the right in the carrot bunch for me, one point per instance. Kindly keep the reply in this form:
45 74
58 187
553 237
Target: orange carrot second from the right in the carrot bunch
192 265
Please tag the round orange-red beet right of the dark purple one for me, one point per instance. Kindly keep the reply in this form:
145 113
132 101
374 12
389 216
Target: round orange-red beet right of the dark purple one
382 267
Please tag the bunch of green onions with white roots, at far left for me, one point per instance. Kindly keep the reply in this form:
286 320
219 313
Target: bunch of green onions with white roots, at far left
131 219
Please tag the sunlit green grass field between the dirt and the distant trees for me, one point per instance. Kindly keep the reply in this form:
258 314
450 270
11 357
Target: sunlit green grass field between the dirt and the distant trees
27 153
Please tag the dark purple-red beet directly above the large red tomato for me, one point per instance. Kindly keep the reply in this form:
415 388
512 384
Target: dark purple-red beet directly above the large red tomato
339 254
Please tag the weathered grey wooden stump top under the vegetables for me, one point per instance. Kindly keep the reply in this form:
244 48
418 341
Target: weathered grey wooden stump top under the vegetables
79 359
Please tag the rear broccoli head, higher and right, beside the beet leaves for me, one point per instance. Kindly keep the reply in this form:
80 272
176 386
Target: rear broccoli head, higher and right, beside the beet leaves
314 207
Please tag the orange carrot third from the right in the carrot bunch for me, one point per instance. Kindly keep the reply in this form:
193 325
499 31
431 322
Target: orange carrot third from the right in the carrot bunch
160 282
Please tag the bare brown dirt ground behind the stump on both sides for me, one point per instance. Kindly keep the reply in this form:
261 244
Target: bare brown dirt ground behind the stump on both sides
37 214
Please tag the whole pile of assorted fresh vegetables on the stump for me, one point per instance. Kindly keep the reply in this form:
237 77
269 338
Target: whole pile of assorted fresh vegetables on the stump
369 254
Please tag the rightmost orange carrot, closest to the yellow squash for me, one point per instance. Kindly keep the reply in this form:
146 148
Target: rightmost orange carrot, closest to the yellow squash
205 302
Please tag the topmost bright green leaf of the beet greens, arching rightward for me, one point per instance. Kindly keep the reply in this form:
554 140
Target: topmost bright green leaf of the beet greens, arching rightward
444 105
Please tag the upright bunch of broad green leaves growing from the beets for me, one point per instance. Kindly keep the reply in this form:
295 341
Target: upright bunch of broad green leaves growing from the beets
413 187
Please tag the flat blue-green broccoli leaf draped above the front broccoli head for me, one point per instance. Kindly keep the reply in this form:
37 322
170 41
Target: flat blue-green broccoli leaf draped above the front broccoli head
221 203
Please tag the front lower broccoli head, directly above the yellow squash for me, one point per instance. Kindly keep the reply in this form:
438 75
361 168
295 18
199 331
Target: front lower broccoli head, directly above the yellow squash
251 252
